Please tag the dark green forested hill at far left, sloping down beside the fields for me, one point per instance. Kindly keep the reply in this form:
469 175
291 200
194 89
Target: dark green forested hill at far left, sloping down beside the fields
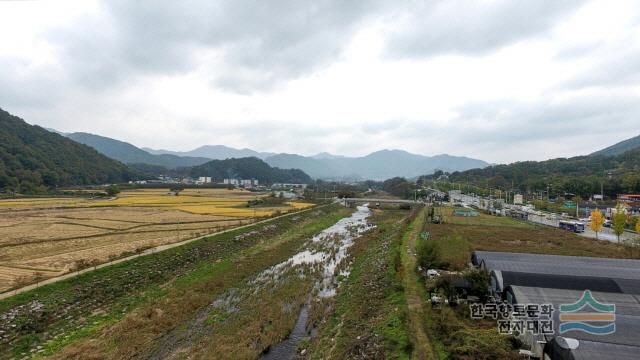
33 159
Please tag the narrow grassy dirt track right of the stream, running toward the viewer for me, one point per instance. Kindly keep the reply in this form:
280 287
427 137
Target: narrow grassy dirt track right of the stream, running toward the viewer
422 345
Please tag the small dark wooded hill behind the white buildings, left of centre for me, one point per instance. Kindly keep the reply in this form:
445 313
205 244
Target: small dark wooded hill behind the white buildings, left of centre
246 168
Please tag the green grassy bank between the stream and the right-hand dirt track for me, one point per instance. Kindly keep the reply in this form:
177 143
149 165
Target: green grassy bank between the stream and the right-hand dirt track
368 316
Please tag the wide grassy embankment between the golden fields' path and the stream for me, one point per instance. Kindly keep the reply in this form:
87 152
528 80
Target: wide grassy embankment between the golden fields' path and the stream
52 317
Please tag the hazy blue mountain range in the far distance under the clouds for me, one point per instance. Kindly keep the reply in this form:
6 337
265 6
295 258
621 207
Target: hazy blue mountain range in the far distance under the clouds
379 165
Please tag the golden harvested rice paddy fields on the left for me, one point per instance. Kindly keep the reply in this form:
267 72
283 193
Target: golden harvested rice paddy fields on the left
45 237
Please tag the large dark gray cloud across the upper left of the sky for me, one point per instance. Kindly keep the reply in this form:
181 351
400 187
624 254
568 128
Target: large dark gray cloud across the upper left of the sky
259 43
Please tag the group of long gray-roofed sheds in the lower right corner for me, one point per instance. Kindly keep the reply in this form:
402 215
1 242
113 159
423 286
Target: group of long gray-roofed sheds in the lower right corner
561 281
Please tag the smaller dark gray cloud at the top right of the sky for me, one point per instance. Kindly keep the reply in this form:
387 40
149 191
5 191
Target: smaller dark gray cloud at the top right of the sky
463 27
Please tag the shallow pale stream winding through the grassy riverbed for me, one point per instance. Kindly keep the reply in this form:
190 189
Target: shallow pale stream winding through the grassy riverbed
321 256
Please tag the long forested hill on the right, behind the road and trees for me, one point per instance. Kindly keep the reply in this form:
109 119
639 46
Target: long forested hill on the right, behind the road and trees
581 175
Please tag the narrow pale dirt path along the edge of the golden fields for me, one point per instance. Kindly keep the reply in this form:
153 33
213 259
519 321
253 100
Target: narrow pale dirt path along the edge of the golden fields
144 253
